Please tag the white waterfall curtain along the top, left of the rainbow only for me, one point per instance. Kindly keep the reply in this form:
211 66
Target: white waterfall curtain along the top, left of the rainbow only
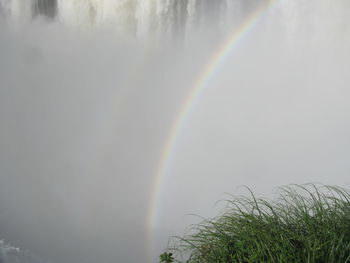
139 17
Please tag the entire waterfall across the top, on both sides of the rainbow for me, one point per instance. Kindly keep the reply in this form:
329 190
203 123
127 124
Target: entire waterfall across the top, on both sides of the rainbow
166 17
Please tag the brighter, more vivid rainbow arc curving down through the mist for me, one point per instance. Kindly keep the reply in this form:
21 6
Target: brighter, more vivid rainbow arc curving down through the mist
213 66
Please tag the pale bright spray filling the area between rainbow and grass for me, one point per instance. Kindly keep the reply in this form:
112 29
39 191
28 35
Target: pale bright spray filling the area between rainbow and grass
276 113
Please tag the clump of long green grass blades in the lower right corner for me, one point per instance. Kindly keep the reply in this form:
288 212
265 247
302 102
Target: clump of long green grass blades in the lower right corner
305 224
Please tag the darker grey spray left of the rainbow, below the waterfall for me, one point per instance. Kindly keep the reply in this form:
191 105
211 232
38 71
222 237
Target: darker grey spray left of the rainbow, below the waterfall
83 119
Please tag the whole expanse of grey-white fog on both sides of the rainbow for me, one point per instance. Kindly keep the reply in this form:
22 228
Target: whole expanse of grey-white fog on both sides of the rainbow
88 105
